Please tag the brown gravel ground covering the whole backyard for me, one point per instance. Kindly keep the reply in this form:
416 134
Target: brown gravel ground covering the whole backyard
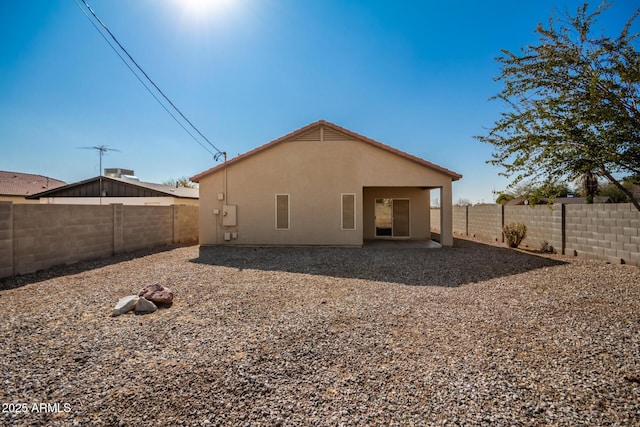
470 335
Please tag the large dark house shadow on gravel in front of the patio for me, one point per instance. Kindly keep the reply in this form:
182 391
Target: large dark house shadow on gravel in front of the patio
466 262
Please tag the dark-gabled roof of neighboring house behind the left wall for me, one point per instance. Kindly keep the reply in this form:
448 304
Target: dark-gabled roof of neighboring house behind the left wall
118 187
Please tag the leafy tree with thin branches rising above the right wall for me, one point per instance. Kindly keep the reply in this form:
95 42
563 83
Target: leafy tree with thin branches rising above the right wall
573 104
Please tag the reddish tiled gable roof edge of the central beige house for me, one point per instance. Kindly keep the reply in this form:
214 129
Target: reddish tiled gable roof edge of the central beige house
454 176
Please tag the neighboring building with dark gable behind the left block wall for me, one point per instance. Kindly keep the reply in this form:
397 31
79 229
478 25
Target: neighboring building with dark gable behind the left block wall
118 190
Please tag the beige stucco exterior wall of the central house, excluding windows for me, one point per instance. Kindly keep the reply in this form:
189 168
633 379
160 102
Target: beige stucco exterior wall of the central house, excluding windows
314 174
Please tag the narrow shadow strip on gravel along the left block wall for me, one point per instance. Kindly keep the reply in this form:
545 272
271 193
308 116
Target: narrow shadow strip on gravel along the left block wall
20 280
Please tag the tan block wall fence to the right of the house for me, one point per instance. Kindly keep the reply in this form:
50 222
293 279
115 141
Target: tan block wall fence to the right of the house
610 232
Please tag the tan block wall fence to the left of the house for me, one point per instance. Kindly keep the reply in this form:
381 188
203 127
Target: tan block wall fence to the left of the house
35 237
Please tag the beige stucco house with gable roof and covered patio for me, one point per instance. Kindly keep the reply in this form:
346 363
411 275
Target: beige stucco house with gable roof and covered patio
322 185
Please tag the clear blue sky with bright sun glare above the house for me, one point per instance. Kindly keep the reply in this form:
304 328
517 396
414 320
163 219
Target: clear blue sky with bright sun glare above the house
415 75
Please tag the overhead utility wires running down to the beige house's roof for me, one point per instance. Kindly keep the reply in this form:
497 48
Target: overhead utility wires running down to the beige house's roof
218 151
